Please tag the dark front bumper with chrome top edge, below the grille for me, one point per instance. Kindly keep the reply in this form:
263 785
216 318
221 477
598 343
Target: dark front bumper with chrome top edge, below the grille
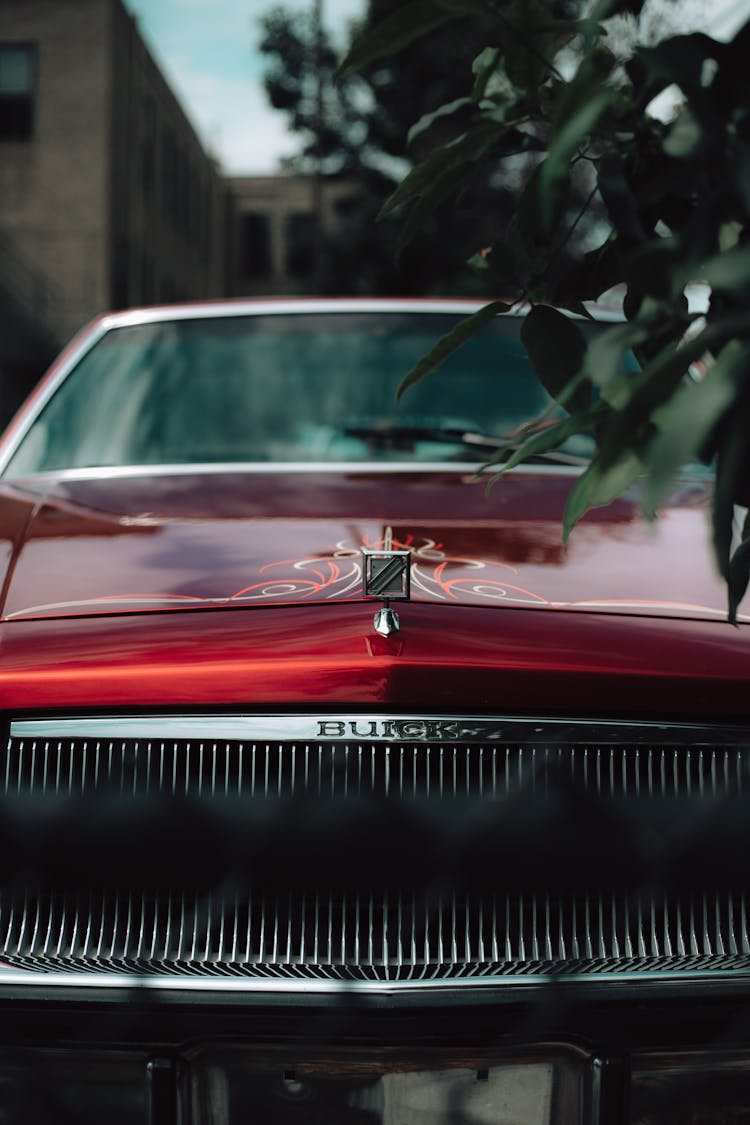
549 1054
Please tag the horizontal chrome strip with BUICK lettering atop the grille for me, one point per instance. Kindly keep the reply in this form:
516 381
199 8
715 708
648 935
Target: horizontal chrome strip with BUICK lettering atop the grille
388 728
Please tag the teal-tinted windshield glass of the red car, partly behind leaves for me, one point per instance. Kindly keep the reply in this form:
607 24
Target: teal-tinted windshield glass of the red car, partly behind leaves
285 388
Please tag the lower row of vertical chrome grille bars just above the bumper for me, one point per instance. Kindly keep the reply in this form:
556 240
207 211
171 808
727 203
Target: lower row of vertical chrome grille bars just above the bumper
390 939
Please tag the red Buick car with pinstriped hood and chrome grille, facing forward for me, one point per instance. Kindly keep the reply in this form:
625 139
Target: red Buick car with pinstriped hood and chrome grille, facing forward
336 788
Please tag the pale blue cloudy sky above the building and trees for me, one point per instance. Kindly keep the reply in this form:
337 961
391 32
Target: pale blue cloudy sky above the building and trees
209 51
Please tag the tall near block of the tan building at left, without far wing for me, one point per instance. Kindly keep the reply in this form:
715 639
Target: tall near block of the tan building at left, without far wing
105 187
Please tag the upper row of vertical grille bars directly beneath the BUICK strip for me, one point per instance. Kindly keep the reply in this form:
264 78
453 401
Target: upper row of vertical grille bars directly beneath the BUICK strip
185 768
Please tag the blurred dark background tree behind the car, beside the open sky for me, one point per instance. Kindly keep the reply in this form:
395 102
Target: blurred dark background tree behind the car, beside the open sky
362 140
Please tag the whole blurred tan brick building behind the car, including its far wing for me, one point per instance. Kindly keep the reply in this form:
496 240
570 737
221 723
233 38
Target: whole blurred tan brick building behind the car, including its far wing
107 196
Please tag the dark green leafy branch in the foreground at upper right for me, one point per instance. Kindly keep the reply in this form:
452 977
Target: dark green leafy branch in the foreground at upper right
673 200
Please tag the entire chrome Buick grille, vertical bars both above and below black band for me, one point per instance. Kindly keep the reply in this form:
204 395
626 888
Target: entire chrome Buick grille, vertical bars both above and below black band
384 934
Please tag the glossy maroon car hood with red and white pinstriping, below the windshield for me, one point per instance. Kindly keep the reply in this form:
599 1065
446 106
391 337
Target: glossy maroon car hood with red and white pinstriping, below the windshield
114 544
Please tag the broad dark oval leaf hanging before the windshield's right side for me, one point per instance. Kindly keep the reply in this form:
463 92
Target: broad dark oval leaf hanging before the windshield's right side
557 348
